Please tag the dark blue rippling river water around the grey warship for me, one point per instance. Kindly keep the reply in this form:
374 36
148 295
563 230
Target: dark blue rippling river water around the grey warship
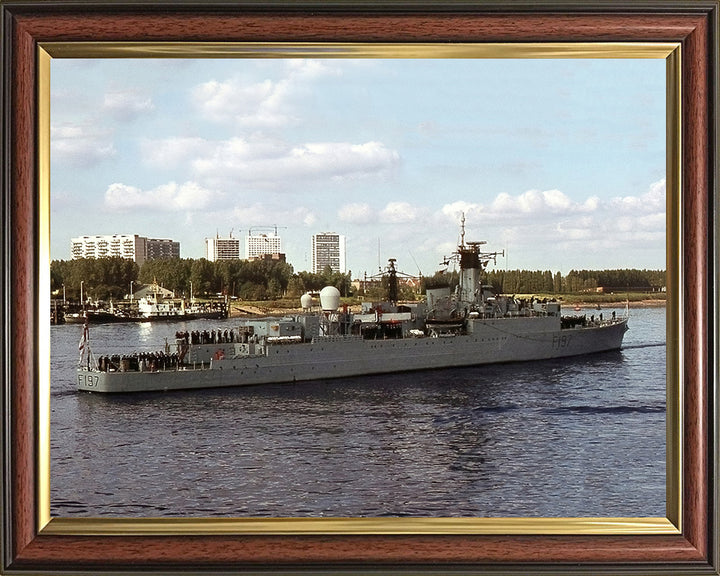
573 437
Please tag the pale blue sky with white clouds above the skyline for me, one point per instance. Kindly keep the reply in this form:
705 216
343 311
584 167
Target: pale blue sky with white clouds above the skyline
558 164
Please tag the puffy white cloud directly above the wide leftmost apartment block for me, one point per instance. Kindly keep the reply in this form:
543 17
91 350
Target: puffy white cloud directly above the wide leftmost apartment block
170 197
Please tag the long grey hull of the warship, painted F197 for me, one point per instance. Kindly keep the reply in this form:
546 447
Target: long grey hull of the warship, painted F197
487 342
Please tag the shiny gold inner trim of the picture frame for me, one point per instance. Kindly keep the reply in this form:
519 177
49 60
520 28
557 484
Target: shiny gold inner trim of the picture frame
289 526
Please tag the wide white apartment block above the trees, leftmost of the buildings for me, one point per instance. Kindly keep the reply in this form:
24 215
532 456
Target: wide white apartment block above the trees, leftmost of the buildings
131 246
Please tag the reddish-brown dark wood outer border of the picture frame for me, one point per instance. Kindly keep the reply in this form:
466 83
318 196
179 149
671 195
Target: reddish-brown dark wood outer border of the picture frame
693 23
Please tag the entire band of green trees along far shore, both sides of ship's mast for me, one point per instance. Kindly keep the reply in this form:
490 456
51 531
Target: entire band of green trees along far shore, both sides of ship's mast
110 278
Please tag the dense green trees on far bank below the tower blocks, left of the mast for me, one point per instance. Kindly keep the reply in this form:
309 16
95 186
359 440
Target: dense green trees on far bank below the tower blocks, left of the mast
111 278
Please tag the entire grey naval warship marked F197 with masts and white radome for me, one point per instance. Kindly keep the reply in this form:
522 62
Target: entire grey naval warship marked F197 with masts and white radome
468 326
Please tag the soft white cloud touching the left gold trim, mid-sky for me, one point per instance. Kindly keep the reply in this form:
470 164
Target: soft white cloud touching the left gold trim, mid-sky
78 145
